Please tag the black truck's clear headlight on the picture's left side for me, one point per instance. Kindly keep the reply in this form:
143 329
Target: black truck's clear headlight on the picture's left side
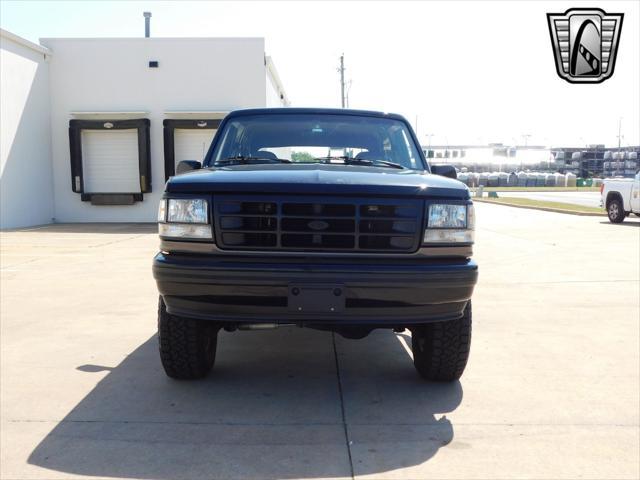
184 219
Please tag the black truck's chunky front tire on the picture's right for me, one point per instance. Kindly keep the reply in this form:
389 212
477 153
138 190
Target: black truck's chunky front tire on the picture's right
441 350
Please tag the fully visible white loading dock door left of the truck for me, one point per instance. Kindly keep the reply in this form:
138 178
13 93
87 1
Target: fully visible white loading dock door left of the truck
110 161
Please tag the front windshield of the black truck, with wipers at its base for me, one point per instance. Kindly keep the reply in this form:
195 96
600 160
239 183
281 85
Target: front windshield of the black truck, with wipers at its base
308 138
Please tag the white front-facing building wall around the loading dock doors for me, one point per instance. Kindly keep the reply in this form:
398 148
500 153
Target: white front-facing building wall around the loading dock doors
106 75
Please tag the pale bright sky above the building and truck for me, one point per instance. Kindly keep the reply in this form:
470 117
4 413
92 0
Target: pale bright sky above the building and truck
460 72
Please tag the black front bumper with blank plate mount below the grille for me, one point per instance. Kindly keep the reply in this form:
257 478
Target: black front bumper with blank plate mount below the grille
240 290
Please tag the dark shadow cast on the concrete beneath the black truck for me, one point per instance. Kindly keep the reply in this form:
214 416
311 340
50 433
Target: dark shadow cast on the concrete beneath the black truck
272 408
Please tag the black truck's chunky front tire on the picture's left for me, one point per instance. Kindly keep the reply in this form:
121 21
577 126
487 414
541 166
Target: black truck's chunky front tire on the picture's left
187 346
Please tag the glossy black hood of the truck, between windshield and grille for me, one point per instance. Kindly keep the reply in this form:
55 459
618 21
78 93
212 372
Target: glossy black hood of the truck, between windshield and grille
317 179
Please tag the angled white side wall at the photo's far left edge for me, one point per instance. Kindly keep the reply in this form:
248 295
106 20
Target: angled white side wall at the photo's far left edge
26 195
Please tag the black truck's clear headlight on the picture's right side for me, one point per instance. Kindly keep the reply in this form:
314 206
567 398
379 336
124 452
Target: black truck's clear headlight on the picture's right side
447 223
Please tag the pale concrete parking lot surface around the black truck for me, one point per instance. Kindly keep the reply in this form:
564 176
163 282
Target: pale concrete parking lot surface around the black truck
551 390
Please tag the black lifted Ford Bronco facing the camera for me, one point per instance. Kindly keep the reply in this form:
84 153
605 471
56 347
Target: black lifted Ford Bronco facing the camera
320 218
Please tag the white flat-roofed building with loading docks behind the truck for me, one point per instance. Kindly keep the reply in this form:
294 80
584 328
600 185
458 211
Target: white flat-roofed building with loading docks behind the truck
91 128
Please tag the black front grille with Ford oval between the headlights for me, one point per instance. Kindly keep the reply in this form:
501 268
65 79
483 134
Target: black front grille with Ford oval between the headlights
317 224
